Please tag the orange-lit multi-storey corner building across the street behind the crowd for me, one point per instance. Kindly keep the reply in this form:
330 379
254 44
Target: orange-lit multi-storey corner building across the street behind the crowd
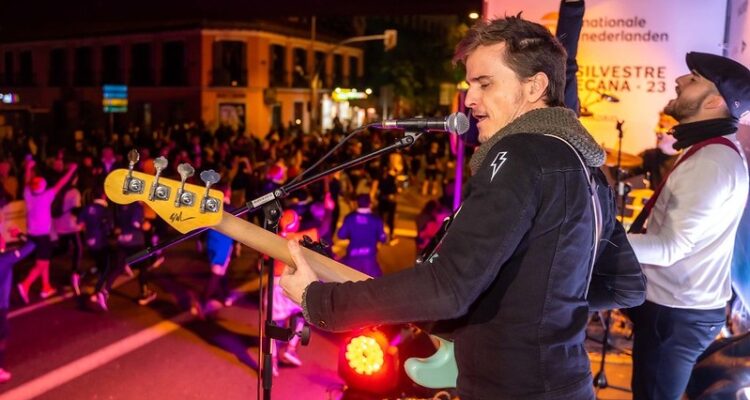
251 77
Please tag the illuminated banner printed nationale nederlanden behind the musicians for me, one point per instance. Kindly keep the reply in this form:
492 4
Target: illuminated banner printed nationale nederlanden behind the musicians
631 51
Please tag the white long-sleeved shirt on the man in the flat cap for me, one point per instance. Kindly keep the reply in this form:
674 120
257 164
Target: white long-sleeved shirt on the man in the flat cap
686 253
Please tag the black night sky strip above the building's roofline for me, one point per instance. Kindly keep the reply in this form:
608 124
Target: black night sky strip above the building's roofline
22 20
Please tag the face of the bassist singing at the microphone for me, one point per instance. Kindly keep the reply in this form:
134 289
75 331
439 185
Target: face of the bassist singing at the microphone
495 93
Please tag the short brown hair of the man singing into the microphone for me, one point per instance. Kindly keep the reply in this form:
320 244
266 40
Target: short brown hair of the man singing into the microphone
530 48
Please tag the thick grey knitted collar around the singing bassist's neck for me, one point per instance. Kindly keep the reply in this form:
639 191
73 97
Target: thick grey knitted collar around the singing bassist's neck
556 121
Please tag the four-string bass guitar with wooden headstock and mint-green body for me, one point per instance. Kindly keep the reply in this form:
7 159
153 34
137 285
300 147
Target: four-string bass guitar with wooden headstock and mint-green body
187 207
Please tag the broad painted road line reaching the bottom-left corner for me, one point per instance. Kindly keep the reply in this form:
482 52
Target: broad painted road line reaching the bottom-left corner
74 369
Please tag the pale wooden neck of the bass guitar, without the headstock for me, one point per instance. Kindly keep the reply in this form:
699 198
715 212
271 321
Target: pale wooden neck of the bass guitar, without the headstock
273 245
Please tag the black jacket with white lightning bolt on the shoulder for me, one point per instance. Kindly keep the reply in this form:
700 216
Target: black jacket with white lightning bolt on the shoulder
512 273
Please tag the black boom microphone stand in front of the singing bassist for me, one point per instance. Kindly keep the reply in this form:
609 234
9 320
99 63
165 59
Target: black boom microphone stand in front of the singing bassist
272 211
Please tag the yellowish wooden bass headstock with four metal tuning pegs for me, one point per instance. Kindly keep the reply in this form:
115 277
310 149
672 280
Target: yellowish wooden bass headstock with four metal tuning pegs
182 205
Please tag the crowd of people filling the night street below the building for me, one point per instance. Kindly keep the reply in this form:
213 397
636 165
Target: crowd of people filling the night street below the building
67 210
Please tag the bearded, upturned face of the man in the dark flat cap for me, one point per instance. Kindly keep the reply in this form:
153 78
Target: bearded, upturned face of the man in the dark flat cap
692 89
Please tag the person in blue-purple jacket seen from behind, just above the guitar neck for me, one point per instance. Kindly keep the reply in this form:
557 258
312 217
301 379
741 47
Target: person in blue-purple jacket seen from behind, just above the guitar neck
364 231
